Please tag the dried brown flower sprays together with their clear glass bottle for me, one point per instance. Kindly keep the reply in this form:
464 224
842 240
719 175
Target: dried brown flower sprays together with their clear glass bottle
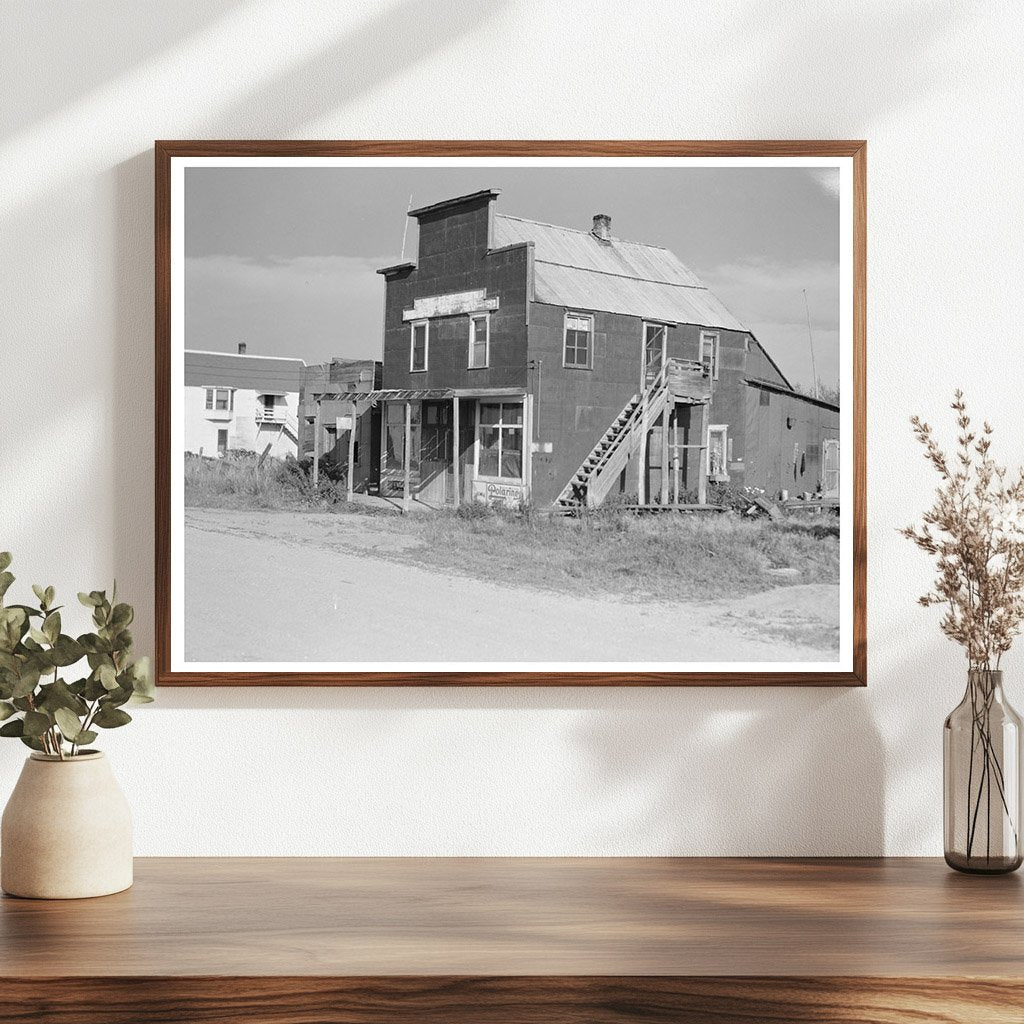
975 530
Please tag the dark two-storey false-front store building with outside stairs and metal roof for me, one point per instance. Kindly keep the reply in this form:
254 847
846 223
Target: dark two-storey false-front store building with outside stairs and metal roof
528 362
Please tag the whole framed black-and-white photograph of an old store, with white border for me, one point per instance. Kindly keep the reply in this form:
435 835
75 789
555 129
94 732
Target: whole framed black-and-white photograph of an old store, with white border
510 413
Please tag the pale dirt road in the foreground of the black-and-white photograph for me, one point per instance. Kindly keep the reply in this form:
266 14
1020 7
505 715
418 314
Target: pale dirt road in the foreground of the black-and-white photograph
311 587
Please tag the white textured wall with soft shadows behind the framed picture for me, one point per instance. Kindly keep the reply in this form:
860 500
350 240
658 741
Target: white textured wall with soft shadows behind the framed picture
937 91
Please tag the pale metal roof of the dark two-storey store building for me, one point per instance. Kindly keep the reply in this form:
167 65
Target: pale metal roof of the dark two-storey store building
574 269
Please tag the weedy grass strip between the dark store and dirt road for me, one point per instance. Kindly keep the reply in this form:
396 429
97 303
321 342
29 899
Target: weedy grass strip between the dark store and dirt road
608 551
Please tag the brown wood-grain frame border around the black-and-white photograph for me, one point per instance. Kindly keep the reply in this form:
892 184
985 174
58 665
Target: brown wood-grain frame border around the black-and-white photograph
165 151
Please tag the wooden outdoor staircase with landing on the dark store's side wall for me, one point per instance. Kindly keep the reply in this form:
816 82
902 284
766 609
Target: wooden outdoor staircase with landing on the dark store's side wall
677 381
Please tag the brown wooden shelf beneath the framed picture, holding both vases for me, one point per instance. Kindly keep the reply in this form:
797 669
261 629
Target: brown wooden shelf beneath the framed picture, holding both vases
574 942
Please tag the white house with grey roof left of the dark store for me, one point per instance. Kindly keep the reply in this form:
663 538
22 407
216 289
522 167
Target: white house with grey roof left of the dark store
236 401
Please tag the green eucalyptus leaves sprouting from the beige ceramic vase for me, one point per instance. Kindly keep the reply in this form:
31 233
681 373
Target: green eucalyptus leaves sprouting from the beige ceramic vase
38 706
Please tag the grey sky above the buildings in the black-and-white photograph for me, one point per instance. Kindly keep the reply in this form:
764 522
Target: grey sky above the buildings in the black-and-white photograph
284 260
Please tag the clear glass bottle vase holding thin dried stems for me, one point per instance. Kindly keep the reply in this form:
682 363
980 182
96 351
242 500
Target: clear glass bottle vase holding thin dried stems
982 775
